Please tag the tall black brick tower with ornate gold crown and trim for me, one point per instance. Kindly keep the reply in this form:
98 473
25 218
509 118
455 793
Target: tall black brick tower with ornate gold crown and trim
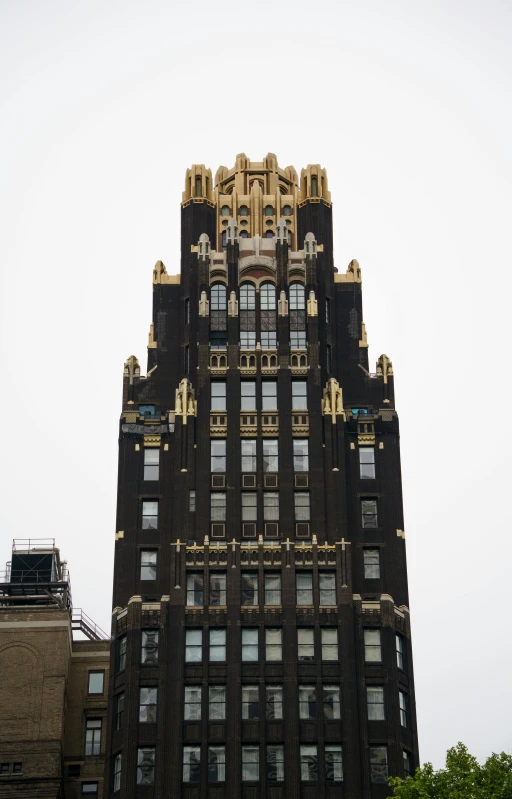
261 636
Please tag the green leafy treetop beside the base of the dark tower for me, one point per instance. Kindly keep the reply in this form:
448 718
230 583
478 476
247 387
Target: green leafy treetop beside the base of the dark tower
463 778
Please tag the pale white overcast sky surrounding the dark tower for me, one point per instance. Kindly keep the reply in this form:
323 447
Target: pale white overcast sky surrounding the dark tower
408 105
